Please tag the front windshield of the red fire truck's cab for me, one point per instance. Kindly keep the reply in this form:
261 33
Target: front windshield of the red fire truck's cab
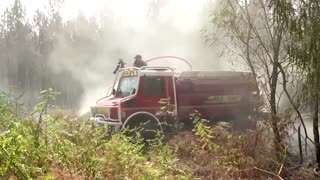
126 85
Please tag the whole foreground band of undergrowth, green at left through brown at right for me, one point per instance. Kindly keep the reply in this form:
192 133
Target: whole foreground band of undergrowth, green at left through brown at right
54 146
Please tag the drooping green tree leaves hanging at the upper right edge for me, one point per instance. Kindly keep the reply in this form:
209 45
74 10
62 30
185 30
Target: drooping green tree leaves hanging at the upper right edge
304 49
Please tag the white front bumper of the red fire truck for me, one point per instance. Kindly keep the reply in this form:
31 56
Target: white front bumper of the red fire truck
112 126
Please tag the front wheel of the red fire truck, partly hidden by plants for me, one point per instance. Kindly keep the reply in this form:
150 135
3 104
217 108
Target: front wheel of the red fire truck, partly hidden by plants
144 124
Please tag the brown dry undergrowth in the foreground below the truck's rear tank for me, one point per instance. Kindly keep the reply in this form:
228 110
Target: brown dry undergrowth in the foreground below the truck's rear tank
236 156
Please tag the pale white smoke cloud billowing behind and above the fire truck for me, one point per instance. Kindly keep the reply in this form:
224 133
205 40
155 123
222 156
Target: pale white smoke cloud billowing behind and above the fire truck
155 28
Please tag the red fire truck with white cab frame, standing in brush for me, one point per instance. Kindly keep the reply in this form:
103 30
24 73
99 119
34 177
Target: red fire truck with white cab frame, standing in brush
136 92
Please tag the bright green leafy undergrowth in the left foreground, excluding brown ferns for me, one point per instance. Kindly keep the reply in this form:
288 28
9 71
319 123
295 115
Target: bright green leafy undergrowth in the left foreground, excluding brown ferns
55 147
